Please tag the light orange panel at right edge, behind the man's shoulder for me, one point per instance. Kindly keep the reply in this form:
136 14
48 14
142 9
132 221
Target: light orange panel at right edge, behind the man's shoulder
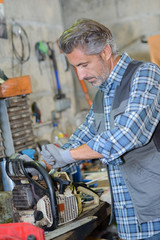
154 46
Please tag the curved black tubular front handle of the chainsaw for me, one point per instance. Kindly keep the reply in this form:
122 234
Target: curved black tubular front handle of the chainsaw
50 187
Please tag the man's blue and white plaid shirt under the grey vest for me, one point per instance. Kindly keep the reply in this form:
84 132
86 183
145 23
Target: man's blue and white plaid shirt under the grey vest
132 129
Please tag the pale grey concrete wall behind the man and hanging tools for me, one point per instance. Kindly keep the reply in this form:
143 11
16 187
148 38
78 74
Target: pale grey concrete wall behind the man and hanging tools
45 20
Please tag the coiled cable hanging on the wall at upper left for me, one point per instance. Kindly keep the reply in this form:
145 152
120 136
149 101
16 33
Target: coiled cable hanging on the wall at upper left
19 32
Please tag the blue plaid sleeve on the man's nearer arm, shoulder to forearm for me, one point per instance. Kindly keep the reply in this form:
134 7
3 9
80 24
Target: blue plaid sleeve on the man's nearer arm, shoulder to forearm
135 126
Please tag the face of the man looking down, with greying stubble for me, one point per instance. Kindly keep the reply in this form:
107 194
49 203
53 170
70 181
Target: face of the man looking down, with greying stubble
92 68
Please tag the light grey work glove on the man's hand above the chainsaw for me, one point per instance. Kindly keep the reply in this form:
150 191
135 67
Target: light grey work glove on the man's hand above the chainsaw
55 156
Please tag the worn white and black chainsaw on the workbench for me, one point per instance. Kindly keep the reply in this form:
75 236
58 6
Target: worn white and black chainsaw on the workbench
47 202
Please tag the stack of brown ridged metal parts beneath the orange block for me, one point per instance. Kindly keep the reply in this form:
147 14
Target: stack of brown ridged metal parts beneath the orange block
20 122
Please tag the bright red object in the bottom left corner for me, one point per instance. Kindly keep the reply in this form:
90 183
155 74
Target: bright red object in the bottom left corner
20 231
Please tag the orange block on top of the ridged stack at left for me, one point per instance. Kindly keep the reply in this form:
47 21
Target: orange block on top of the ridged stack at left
16 86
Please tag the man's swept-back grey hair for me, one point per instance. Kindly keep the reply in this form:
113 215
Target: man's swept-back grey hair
89 35
